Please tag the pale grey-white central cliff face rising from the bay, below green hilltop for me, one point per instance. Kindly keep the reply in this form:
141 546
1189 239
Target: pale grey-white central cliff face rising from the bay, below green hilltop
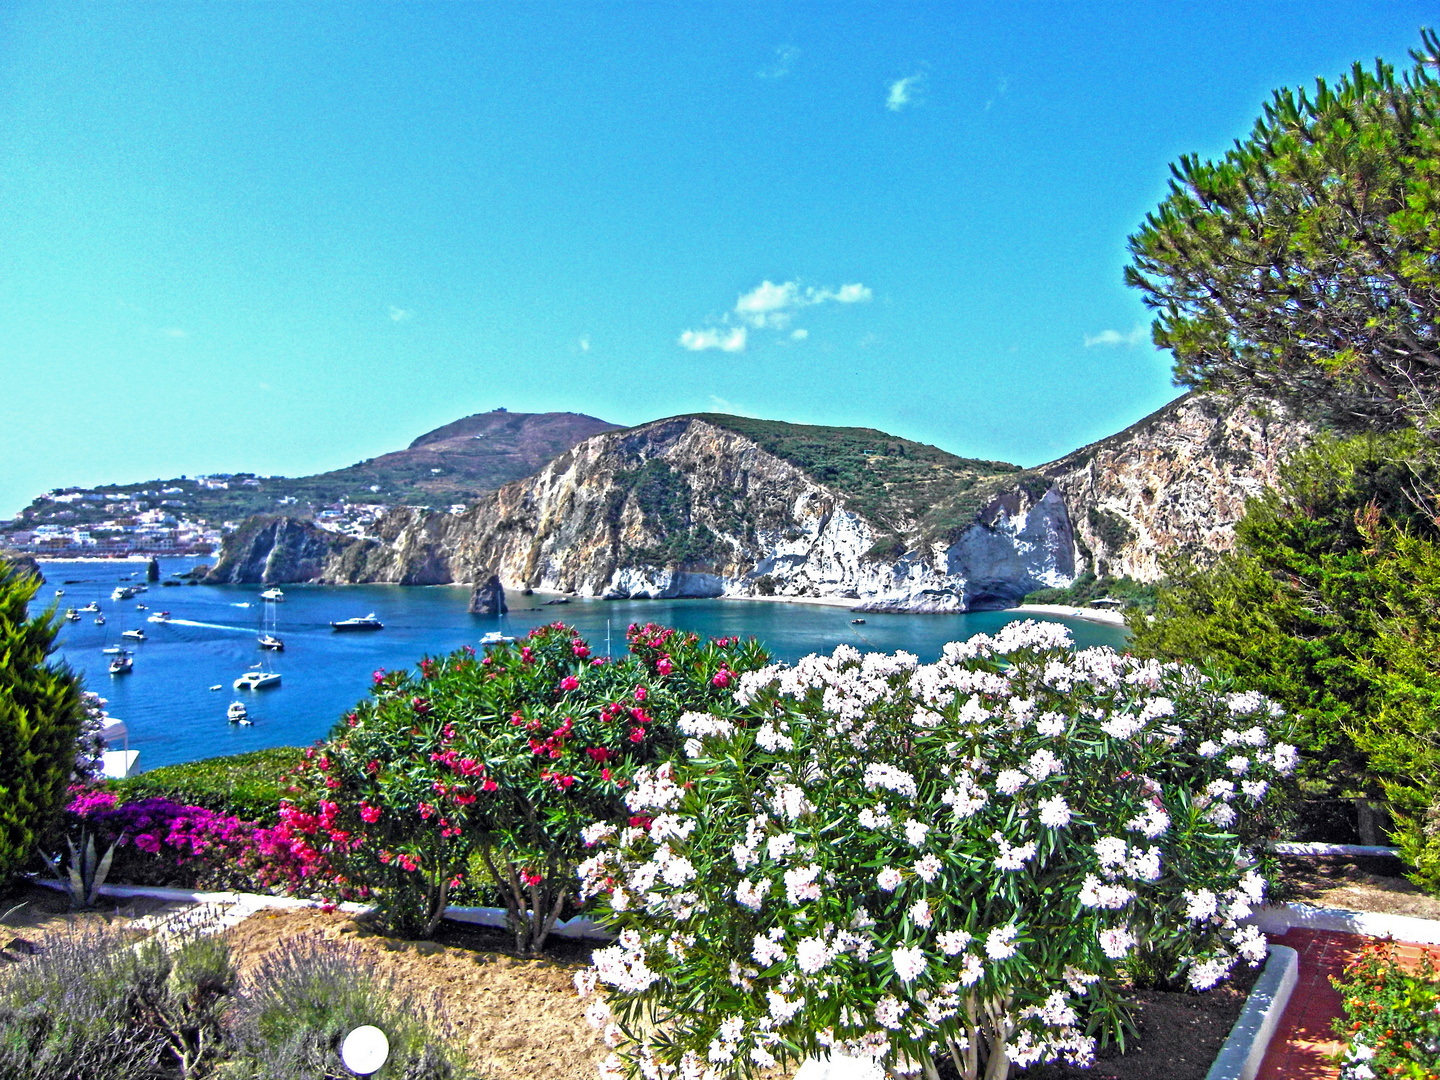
688 508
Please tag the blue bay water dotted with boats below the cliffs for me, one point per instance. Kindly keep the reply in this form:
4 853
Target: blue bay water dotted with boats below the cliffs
174 715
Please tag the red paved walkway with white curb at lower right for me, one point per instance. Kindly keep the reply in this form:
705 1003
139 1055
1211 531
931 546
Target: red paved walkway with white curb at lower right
1305 1040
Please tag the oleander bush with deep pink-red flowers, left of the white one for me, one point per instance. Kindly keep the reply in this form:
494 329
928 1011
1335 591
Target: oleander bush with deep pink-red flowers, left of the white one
499 761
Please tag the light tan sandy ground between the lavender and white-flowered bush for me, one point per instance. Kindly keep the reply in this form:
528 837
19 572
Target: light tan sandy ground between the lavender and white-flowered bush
521 1019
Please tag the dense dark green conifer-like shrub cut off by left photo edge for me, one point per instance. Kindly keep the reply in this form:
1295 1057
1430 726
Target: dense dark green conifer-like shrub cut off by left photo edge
41 715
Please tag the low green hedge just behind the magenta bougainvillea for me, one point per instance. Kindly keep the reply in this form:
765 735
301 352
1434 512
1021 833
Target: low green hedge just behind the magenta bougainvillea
248 786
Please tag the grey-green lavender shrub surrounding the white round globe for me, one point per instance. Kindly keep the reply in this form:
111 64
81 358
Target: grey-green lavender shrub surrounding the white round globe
305 1000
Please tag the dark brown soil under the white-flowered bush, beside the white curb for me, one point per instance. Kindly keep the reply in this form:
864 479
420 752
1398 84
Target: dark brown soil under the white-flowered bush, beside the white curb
1180 1036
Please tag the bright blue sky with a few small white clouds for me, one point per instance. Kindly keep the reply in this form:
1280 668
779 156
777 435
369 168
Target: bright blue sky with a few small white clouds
289 237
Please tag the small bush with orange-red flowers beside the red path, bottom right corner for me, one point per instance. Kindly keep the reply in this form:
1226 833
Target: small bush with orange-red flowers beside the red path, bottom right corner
1392 1025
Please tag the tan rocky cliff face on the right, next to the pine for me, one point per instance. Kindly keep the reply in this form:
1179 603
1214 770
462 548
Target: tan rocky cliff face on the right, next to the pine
1174 483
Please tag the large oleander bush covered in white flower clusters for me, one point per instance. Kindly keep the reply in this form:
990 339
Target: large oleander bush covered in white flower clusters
905 863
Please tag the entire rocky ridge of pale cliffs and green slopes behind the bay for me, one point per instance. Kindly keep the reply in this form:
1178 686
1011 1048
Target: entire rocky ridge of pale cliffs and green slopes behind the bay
725 506
